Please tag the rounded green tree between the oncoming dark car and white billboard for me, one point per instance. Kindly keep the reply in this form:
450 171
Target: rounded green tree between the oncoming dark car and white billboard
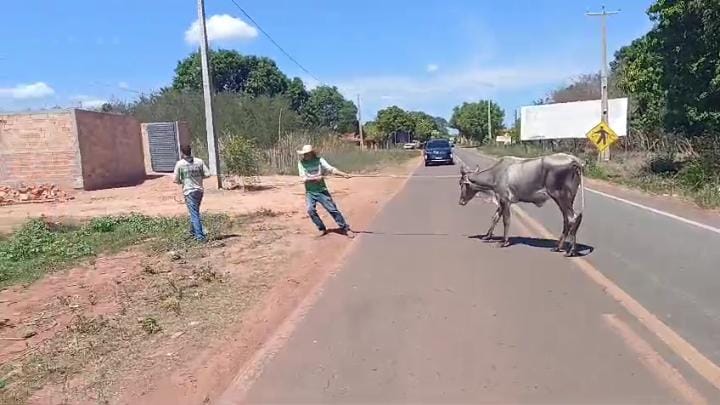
471 119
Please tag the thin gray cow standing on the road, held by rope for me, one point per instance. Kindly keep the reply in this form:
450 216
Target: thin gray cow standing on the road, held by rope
535 180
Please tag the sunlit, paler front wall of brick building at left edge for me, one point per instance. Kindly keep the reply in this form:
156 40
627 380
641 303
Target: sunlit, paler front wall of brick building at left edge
39 148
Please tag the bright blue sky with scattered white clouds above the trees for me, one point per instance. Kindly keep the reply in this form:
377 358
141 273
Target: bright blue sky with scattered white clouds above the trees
429 55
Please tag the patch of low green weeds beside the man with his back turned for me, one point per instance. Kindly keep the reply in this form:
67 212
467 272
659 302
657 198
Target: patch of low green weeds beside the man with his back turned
40 246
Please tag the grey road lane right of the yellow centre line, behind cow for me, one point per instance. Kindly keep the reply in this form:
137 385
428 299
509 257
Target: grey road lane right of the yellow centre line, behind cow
671 267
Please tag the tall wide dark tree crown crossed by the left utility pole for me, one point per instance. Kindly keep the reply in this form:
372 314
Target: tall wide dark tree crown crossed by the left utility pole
232 72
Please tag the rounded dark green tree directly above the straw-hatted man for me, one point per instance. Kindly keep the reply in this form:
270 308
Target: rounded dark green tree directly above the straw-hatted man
327 108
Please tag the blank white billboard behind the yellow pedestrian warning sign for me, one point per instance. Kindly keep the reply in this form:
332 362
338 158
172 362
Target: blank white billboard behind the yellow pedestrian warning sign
570 120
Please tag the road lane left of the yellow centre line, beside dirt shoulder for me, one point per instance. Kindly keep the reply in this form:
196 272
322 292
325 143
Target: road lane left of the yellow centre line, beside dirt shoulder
425 313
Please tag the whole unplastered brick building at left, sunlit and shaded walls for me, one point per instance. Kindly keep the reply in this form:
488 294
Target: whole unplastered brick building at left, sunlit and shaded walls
71 148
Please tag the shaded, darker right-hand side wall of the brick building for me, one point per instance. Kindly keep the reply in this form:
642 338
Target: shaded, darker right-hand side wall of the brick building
111 149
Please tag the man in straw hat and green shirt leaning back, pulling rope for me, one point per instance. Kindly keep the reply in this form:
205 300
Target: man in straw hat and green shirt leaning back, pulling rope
312 169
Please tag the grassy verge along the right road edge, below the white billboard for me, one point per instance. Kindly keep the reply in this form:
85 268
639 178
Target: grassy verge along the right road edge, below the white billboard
693 182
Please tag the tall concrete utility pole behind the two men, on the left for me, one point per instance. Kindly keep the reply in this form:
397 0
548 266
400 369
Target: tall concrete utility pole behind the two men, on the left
213 159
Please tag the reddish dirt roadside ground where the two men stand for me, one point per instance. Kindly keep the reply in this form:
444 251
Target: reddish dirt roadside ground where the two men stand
258 277
